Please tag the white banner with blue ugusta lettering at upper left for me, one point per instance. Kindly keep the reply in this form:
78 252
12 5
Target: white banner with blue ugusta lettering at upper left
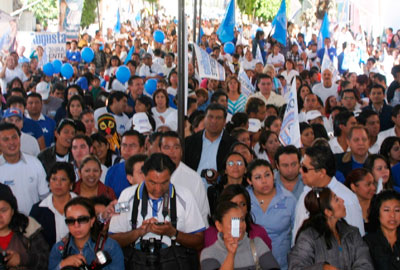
53 44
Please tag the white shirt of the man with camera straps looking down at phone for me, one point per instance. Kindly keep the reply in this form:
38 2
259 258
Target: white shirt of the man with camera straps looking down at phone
188 214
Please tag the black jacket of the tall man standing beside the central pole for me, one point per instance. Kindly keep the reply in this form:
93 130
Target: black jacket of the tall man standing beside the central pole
194 146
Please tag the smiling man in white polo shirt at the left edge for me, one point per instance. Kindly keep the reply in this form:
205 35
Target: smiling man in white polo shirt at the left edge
23 173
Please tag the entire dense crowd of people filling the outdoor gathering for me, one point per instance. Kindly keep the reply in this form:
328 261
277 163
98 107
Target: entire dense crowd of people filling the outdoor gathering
93 171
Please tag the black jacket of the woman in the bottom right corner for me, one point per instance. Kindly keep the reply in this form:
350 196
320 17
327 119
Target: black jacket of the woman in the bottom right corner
383 256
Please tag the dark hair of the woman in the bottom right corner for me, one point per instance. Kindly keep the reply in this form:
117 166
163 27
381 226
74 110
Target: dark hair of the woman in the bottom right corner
376 203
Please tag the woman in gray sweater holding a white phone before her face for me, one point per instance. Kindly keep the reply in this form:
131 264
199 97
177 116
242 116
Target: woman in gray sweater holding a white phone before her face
231 252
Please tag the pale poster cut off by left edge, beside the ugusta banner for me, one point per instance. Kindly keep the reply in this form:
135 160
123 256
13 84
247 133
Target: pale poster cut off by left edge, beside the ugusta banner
8 33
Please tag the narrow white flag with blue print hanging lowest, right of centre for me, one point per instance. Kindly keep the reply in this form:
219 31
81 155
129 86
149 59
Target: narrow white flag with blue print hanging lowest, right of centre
290 130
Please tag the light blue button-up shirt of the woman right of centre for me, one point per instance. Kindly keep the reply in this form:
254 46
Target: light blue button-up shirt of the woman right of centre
278 221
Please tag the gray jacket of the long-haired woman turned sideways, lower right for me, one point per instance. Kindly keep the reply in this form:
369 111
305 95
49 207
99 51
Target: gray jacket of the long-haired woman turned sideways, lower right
310 251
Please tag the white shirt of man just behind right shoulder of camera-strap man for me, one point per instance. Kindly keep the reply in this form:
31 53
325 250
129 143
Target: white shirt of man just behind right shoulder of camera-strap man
188 178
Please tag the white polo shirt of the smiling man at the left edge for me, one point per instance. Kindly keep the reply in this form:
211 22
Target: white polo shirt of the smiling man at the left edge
27 180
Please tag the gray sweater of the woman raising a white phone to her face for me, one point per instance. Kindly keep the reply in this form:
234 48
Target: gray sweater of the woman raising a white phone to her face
214 256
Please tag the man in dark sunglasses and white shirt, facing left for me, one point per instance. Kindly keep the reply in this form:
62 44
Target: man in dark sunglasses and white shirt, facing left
318 170
